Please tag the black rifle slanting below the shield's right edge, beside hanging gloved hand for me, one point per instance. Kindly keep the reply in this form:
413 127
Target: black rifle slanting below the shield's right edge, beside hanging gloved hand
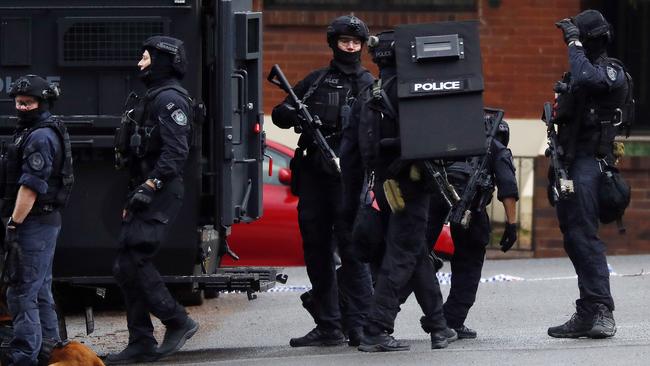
480 182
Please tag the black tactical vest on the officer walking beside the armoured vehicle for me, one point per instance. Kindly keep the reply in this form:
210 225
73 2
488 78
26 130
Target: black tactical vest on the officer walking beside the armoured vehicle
138 138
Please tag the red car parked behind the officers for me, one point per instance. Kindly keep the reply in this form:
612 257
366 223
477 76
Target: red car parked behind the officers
274 240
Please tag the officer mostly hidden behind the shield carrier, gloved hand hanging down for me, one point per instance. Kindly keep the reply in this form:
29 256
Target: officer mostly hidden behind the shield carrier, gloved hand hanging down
470 243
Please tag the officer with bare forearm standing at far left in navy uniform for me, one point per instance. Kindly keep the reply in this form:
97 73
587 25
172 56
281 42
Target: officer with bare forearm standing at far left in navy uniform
36 184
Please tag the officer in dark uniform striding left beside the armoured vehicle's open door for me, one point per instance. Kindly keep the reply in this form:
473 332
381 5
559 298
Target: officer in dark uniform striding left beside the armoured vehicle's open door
163 123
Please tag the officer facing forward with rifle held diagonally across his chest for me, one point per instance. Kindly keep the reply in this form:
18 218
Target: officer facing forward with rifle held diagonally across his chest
329 93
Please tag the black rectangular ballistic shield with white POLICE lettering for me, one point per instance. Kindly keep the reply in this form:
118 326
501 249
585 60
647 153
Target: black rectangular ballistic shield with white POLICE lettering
440 86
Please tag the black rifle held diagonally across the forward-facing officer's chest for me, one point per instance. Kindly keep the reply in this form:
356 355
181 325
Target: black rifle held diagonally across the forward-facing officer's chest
309 124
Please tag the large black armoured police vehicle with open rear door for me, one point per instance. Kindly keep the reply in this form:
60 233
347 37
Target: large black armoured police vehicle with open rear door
90 48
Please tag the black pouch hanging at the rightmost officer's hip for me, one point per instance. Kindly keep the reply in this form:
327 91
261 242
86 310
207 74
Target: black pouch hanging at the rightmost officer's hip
613 195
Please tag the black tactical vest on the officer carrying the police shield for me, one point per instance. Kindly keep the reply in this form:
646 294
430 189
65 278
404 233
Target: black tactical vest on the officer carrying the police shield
378 125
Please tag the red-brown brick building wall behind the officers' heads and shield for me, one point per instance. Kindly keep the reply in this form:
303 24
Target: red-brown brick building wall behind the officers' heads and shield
523 53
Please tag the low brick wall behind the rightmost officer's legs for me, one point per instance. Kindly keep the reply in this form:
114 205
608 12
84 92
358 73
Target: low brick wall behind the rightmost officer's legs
546 233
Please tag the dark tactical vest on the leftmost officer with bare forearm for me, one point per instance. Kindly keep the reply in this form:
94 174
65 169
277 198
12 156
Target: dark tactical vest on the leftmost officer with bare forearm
59 183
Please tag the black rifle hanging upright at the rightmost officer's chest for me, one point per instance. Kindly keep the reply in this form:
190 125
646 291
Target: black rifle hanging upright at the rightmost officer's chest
562 187
